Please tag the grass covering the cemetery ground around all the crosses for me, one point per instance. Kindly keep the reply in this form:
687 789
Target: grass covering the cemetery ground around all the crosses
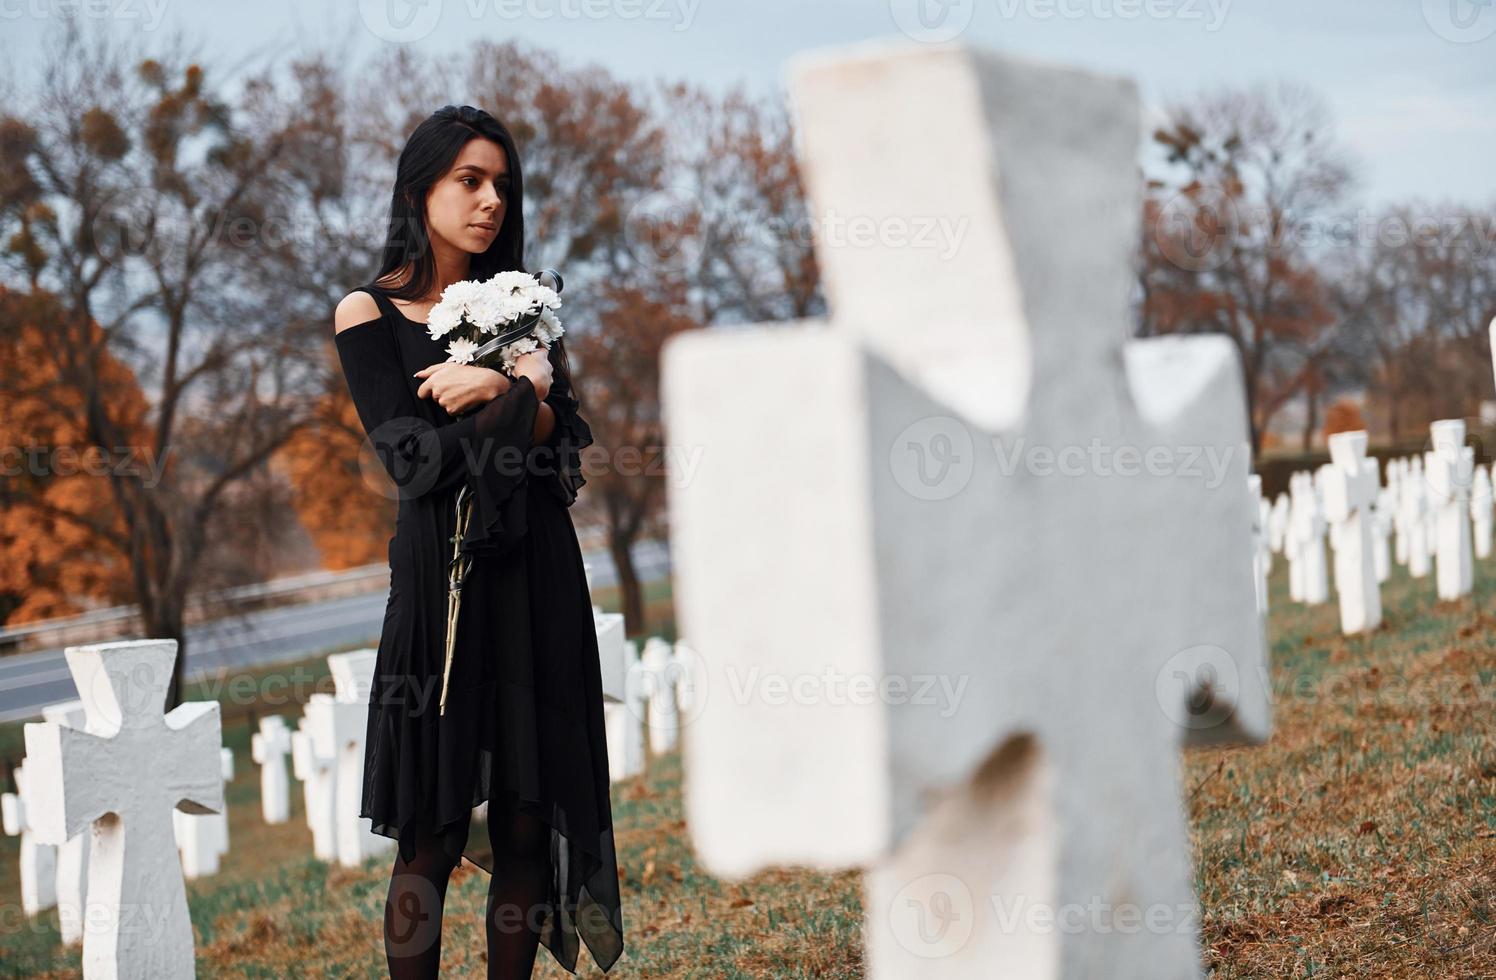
1359 843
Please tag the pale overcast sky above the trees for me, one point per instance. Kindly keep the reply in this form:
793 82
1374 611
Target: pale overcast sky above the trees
1413 83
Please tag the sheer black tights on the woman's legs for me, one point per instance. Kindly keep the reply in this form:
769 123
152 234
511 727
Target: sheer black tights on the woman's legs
517 892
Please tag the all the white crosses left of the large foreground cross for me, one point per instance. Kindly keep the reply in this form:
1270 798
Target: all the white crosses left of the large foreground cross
107 791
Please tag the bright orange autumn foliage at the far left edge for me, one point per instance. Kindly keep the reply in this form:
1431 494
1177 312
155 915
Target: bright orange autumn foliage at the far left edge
64 545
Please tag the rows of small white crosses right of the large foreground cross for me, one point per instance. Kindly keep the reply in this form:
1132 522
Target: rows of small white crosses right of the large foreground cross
1437 506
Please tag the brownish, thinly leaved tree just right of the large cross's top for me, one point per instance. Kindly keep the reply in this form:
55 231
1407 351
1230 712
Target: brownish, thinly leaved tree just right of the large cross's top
1247 173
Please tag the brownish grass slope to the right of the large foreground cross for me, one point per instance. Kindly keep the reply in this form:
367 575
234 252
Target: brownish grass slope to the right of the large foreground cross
1361 842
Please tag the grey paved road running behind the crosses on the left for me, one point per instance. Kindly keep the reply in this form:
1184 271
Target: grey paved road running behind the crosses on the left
291 634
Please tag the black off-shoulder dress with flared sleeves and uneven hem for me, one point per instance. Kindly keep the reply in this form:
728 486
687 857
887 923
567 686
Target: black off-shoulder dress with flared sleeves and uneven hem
524 711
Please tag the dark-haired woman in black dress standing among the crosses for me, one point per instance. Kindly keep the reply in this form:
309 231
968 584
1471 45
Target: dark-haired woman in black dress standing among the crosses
524 719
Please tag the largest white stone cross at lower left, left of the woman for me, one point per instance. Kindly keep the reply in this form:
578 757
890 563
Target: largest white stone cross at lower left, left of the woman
123 776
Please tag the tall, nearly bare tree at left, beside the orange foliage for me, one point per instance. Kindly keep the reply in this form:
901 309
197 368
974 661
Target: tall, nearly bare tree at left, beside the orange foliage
141 201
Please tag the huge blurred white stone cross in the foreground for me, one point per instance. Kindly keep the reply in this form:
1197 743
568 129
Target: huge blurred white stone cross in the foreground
939 656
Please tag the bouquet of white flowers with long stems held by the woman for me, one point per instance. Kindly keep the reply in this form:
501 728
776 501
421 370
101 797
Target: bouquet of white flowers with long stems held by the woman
491 325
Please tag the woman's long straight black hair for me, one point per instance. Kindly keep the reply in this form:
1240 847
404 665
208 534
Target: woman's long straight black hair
430 152
